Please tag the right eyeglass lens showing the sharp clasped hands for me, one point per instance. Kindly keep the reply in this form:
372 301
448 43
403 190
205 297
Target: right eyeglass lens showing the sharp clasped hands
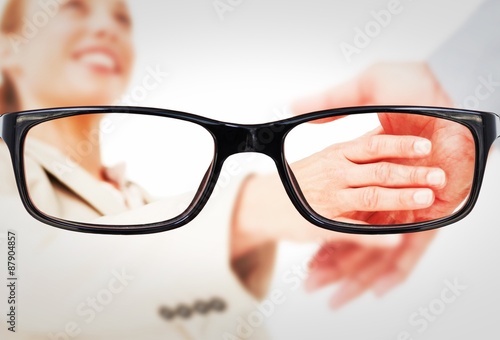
368 168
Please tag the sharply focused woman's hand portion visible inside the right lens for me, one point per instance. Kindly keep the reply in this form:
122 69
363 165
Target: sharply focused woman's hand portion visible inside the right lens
366 180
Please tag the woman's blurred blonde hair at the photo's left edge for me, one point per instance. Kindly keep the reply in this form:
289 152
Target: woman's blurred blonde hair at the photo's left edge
10 23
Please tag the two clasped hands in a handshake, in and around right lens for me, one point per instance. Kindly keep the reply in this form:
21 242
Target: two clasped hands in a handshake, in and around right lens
426 176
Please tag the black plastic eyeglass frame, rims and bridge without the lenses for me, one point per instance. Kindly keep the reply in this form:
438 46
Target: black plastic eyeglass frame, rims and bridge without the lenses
232 138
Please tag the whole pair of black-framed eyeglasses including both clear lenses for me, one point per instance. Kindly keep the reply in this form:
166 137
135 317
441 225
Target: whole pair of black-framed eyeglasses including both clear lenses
347 170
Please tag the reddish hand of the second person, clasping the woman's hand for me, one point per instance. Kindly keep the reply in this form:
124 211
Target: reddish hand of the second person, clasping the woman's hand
359 267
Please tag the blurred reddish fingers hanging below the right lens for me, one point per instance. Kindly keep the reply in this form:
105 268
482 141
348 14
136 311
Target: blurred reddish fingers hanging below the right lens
358 268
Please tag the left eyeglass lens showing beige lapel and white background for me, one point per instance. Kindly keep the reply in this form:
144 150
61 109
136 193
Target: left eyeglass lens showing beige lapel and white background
147 160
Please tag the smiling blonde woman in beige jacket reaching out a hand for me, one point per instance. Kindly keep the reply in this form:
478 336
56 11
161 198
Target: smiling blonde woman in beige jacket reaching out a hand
202 298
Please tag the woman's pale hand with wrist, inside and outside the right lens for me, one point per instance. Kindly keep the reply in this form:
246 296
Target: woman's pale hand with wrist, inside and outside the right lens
264 213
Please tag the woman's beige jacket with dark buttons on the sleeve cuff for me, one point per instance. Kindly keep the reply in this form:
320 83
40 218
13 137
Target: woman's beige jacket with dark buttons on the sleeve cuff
177 271
